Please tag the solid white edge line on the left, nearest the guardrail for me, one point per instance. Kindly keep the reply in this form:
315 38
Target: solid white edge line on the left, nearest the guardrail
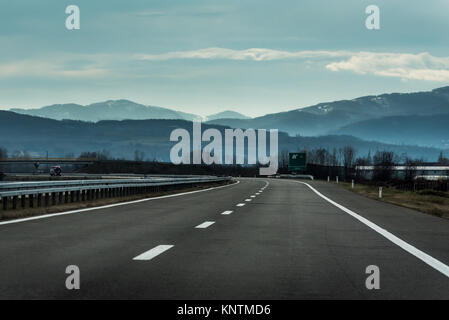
111 205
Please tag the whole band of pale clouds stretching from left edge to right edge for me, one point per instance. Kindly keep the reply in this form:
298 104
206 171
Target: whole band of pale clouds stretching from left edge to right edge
406 66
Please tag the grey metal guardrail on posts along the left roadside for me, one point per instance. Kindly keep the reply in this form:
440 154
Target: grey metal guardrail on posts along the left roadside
90 189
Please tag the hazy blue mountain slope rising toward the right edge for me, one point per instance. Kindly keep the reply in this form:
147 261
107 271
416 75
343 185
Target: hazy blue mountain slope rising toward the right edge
413 114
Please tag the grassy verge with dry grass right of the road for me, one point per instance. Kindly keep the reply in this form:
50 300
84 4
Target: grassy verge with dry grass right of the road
427 201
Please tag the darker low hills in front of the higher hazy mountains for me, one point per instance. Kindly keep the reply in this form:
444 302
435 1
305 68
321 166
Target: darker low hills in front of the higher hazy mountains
59 138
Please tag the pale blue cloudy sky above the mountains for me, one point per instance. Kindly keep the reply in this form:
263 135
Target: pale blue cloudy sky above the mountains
254 57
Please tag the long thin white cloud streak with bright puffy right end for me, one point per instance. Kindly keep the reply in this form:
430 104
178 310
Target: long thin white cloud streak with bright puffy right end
422 66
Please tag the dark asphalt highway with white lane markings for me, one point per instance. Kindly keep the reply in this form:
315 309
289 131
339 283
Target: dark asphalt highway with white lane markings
258 239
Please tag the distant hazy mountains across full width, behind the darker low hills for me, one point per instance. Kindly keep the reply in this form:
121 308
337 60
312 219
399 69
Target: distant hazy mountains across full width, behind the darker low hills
419 118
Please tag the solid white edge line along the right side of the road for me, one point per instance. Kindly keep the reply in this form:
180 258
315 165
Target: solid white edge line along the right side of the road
431 261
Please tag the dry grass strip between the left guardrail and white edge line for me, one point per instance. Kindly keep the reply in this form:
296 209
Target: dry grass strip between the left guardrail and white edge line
29 212
